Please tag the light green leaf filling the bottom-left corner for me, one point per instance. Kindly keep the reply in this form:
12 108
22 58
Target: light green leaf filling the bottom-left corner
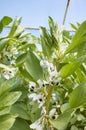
6 122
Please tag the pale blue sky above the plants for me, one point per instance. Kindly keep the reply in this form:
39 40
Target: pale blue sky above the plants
35 12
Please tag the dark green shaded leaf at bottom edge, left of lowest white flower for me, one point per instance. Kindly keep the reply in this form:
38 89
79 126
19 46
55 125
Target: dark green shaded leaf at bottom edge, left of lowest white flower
20 124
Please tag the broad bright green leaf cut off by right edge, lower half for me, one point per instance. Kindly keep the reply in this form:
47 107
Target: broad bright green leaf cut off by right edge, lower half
78 97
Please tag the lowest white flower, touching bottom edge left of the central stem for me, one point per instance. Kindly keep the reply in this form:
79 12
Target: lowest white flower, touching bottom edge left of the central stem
37 125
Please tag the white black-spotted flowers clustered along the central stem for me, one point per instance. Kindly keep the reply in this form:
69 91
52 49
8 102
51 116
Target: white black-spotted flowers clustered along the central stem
35 95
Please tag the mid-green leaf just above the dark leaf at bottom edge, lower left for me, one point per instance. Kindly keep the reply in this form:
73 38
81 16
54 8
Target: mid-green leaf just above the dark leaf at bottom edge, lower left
21 110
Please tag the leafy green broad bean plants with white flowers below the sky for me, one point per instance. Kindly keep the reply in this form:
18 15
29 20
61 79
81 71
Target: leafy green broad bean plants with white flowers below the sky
42 79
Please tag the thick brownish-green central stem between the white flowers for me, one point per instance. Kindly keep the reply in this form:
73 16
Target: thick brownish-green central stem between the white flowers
48 98
